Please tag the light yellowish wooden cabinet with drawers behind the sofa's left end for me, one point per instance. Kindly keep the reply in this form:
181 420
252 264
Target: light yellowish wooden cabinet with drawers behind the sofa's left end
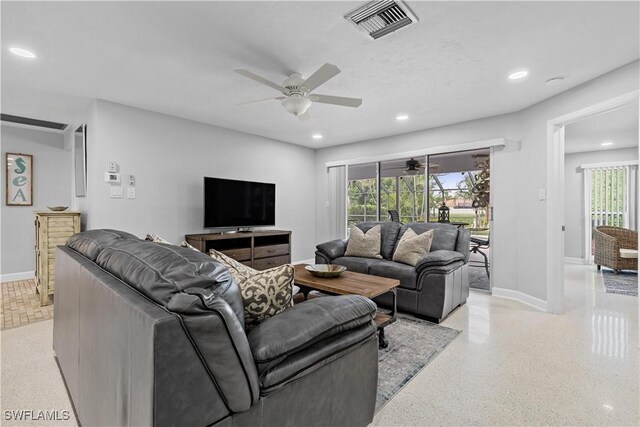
52 229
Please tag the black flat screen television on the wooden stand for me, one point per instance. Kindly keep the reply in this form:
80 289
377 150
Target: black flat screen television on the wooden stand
240 204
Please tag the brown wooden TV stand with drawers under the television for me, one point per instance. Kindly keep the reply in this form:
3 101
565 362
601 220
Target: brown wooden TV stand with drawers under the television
257 249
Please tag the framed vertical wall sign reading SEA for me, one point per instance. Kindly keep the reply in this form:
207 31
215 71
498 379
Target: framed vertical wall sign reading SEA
19 179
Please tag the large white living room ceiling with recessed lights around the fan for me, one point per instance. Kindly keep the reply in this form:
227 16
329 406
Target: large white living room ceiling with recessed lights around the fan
177 58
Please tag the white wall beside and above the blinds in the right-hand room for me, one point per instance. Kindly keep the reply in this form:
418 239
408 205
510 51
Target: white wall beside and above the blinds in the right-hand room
574 194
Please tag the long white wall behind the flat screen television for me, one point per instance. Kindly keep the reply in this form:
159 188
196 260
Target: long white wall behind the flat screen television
170 156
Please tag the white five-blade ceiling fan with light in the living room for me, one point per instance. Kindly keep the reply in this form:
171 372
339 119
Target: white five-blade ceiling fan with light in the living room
297 91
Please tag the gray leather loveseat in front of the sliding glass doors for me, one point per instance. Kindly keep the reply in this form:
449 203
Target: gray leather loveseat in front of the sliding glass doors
432 289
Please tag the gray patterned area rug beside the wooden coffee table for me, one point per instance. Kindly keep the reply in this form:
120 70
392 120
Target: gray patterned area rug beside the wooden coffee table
413 343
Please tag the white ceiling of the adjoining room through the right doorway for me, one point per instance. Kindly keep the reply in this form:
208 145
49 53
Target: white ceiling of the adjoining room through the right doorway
619 126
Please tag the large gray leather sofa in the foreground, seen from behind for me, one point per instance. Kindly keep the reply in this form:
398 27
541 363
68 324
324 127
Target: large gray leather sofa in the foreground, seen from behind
153 334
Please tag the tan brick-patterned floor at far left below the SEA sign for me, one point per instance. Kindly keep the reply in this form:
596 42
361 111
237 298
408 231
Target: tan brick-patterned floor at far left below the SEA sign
21 304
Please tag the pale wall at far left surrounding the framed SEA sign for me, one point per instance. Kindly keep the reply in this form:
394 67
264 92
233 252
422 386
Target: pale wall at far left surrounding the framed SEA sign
52 170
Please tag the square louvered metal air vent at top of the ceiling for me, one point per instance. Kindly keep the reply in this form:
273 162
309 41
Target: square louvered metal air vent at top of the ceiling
379 18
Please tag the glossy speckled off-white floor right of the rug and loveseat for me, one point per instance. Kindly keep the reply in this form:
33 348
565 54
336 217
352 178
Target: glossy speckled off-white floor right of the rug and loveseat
515 365
